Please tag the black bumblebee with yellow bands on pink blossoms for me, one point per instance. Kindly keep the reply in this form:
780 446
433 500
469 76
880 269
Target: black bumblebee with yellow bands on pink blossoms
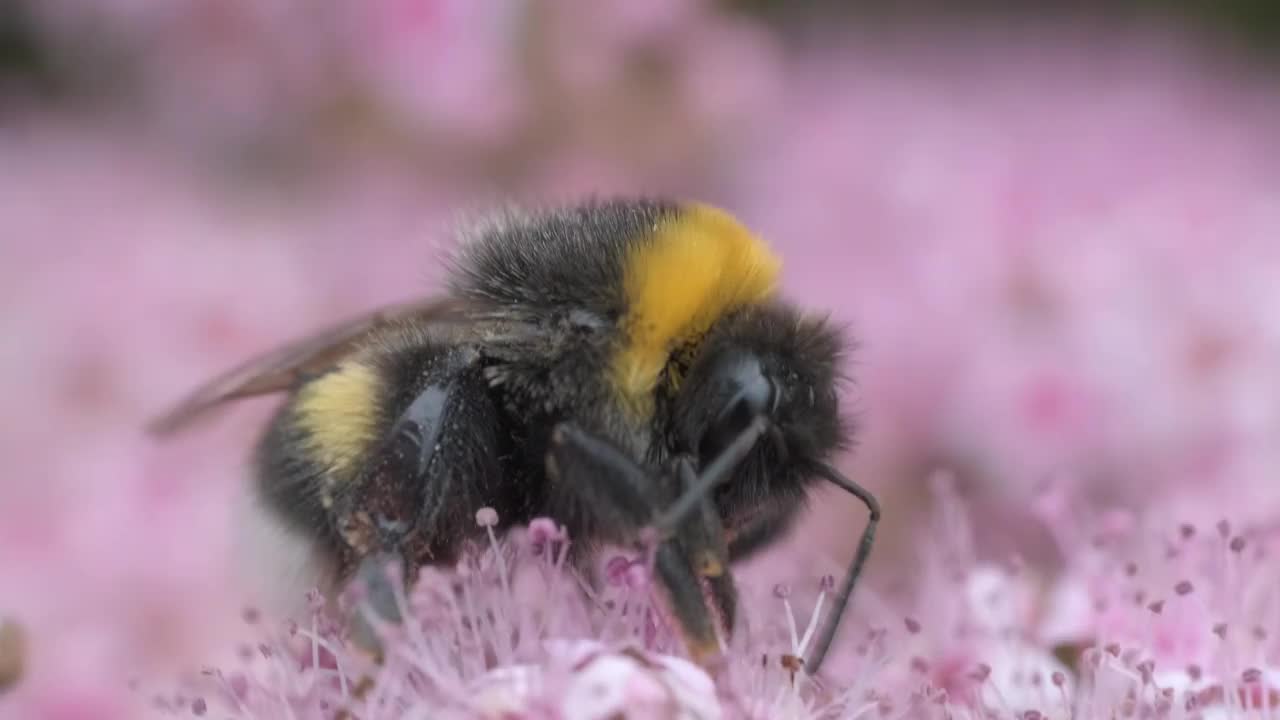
618 366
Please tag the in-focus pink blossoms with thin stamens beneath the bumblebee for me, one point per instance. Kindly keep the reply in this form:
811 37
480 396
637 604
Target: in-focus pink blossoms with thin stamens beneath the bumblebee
1153 623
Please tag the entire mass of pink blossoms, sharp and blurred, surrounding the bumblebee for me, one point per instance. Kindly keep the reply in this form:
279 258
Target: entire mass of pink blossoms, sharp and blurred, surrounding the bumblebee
1055 249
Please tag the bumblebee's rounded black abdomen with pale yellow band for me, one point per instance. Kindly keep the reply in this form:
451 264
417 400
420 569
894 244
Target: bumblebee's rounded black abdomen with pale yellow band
397 446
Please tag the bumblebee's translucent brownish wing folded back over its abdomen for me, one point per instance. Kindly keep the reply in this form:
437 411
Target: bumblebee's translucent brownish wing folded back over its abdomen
282 368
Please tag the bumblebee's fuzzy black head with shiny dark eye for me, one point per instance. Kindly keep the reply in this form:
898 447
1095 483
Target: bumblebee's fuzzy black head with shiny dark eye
774 363
